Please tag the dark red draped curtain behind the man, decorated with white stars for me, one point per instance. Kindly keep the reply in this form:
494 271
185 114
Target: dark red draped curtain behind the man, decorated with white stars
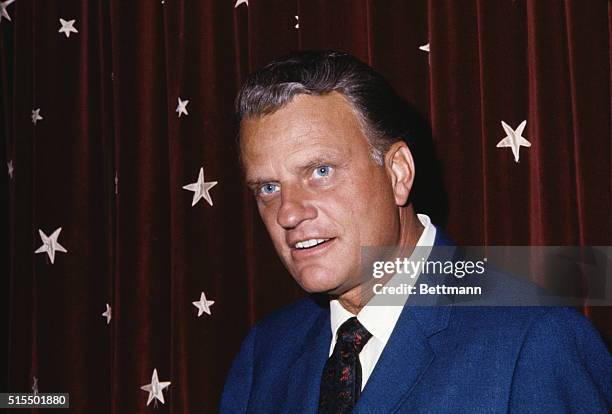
108 160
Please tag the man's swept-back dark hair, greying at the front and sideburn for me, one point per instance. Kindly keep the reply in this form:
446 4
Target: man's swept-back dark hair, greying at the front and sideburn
379 109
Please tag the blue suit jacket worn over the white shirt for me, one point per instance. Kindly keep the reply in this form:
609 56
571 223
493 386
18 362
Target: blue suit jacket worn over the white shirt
439 359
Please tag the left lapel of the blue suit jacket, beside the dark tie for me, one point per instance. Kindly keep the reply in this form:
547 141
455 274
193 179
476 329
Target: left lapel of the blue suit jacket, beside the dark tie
306 371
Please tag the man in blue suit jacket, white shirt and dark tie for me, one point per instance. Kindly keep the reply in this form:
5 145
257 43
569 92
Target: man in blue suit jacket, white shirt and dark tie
326 151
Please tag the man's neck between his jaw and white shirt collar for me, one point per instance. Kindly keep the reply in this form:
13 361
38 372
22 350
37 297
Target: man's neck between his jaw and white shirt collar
410 231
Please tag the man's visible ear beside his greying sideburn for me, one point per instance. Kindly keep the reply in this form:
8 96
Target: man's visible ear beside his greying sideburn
400 168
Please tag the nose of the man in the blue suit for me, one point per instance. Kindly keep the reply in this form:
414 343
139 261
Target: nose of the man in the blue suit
296 207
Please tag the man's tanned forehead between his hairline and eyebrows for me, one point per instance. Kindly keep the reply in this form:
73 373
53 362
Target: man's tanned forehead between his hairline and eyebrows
308 124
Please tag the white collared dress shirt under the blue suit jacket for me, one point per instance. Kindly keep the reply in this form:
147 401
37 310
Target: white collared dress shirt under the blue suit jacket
379 320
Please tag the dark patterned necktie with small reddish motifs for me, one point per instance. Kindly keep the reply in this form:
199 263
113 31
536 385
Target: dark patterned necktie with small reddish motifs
341 381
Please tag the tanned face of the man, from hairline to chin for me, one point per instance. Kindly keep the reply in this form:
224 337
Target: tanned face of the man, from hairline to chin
319 193
